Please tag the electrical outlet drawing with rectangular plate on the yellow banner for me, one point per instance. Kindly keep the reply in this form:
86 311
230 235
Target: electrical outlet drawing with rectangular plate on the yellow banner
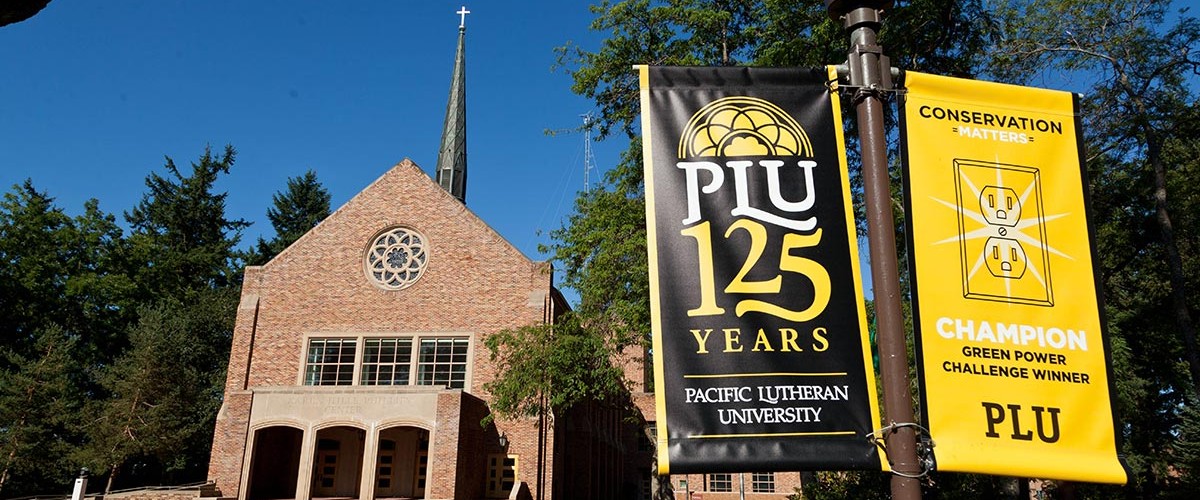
1003 237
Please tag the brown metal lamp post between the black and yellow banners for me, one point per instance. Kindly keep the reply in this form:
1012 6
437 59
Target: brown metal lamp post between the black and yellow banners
871 76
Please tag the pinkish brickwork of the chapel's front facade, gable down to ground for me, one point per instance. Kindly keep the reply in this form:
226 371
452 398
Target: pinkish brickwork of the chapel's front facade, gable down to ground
476 284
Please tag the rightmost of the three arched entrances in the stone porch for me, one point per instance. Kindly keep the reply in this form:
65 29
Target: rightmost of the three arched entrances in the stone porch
403 463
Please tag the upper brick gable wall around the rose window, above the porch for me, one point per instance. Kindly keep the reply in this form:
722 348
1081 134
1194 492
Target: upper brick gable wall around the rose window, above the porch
476 281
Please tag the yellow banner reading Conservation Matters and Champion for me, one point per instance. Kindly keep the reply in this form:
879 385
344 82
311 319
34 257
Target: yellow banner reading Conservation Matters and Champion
1012 348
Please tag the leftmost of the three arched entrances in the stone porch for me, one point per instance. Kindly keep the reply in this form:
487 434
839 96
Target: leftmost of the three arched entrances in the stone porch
275 466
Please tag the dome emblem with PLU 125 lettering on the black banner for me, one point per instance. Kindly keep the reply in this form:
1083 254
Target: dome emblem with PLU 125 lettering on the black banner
760 146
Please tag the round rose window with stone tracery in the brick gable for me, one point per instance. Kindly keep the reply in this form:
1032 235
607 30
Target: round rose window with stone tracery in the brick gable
397 260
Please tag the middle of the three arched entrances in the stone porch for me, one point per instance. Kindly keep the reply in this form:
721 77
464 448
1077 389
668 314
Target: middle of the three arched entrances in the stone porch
338 462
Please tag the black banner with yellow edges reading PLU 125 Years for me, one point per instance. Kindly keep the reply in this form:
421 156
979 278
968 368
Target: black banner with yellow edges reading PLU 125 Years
761 359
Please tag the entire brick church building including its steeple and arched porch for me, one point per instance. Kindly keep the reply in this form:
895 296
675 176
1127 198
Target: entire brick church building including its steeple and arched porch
358 364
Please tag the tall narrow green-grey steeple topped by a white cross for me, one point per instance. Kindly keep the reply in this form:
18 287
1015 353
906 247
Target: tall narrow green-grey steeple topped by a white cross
453 155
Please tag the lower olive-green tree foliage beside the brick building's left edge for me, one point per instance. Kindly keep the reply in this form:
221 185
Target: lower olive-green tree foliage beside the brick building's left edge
166 389
